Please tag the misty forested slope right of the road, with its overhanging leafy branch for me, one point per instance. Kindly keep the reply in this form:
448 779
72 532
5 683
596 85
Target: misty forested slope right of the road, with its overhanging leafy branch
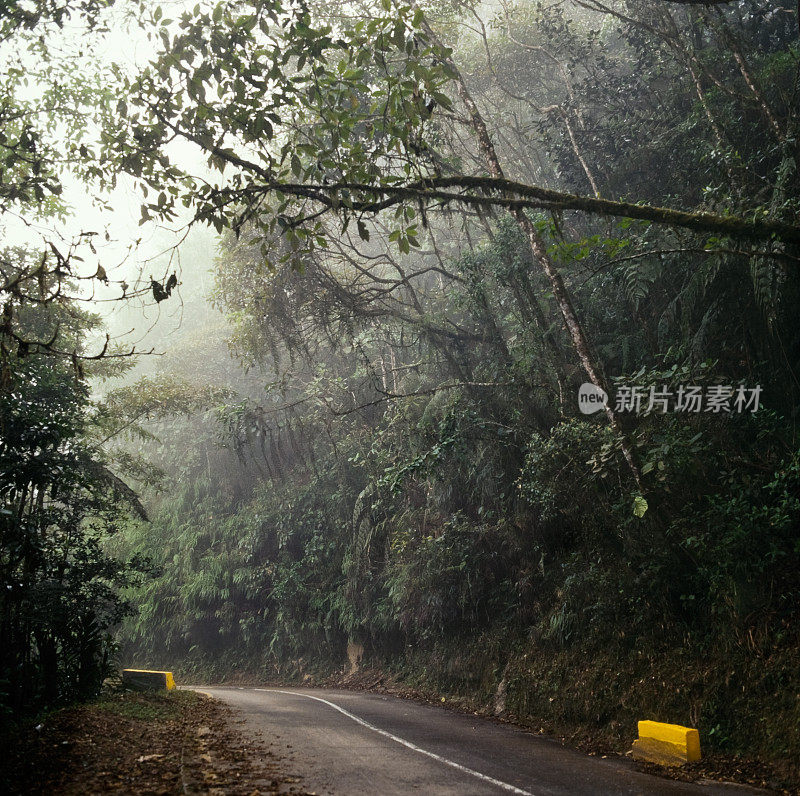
375 435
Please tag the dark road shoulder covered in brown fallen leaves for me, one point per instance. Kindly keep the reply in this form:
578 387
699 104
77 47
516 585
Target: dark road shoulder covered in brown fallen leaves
154 743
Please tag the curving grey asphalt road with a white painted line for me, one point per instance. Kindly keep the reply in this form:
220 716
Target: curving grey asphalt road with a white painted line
351 743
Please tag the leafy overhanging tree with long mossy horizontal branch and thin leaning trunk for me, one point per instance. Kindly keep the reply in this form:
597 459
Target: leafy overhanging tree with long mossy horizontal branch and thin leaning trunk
301 118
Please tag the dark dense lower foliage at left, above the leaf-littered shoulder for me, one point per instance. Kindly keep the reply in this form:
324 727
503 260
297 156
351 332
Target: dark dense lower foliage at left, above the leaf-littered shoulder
59 503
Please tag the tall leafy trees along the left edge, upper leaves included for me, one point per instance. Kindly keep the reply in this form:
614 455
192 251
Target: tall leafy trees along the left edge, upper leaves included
59 499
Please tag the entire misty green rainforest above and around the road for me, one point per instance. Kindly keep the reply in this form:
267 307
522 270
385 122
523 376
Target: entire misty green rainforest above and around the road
300 306
